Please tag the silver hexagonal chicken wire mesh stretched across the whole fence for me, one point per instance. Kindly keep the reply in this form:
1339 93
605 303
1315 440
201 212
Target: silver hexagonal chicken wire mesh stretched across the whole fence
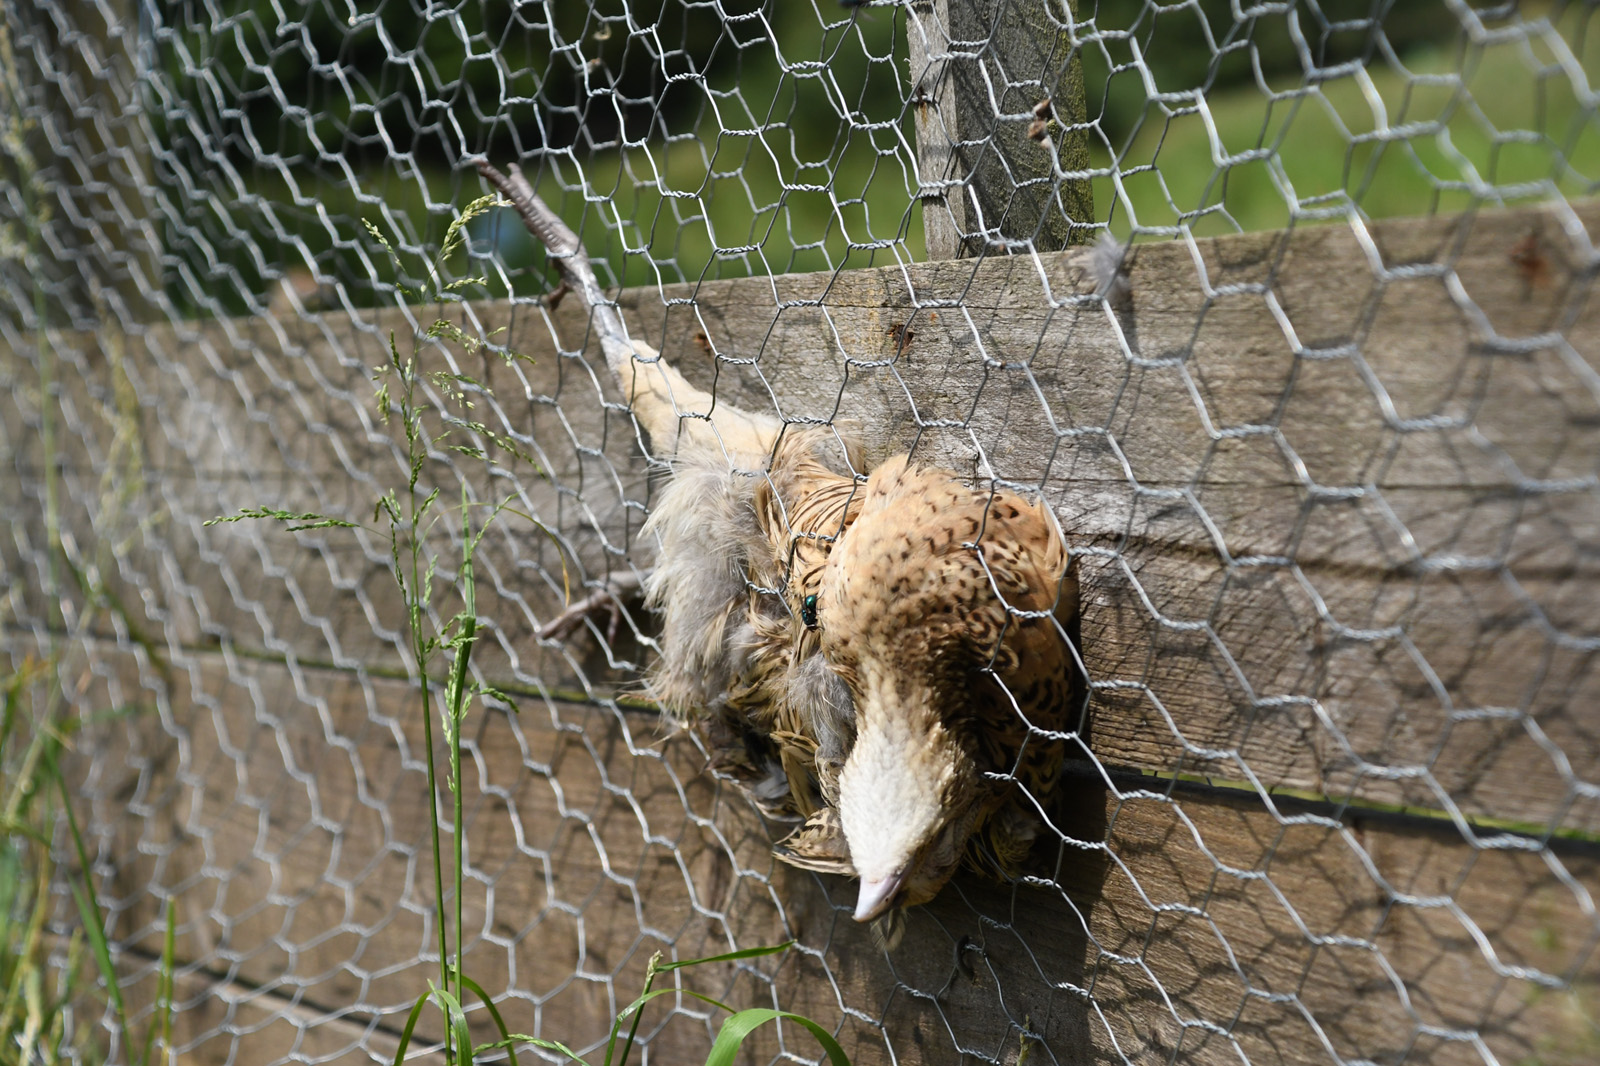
1332 489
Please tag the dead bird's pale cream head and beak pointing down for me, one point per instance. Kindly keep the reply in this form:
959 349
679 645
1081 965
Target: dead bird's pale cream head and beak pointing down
908 799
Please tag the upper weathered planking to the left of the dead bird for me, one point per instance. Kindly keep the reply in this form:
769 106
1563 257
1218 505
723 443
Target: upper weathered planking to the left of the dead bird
238 414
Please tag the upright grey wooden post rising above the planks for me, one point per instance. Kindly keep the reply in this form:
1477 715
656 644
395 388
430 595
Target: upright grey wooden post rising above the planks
999 103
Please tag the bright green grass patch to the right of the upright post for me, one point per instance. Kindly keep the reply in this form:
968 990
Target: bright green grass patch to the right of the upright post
1449 129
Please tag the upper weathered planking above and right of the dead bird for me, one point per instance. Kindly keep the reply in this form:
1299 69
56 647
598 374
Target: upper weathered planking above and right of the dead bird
1394 574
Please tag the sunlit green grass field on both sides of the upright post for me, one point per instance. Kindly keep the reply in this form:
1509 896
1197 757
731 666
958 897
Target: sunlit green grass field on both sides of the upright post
1439 129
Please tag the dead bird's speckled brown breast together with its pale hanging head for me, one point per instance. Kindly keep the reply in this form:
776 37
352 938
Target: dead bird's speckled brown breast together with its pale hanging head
911 615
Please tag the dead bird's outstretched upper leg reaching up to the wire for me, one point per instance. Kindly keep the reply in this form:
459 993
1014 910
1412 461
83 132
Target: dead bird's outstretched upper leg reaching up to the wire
674 414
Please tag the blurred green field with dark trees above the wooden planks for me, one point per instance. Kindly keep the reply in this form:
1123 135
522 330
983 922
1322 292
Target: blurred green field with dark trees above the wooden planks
791 151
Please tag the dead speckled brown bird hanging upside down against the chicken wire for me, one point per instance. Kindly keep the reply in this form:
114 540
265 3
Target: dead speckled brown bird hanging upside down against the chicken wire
889 660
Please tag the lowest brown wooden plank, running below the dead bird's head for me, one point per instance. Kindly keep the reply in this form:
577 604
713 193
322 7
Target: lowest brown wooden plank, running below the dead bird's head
287 814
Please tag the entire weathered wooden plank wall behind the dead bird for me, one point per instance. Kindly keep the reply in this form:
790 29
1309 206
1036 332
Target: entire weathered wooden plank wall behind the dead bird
1334 494
